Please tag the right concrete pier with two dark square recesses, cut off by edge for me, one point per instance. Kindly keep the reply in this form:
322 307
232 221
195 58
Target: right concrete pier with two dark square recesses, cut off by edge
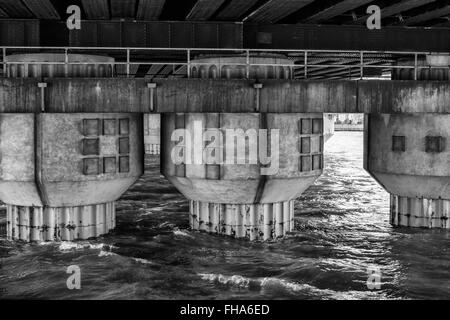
409 155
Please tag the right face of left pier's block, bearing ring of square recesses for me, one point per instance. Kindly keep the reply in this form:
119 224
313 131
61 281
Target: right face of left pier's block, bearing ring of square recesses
62 178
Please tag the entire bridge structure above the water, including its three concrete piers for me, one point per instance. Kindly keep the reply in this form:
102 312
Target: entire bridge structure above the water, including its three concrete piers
71 104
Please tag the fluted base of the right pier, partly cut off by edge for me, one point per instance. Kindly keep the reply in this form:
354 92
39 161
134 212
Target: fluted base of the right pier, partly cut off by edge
420 212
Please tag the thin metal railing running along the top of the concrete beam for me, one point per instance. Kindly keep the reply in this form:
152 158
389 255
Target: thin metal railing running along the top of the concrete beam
305 63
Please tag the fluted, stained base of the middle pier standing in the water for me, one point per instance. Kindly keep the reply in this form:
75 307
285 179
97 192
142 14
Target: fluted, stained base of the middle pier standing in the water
251 221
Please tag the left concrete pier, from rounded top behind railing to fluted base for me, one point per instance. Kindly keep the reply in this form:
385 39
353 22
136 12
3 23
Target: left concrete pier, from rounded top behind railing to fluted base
60 174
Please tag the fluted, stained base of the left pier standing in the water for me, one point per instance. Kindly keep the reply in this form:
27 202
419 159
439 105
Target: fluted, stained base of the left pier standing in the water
60 224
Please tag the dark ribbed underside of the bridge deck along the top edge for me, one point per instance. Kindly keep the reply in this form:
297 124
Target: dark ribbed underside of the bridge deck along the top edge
430 13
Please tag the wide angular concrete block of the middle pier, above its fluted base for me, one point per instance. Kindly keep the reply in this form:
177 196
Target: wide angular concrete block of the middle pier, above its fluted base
243 183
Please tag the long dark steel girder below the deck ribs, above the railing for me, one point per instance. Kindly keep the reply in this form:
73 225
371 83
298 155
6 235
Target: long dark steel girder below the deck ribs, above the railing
184 34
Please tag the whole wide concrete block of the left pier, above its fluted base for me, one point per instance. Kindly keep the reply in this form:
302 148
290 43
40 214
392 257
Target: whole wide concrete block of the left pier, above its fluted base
42 160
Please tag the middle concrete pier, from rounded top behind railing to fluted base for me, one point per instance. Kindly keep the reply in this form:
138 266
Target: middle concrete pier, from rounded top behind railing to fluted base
242 172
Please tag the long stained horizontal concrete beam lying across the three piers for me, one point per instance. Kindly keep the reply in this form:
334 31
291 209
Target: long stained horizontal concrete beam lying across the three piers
234 96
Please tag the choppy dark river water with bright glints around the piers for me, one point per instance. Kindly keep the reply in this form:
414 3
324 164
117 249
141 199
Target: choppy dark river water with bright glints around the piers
342 228
